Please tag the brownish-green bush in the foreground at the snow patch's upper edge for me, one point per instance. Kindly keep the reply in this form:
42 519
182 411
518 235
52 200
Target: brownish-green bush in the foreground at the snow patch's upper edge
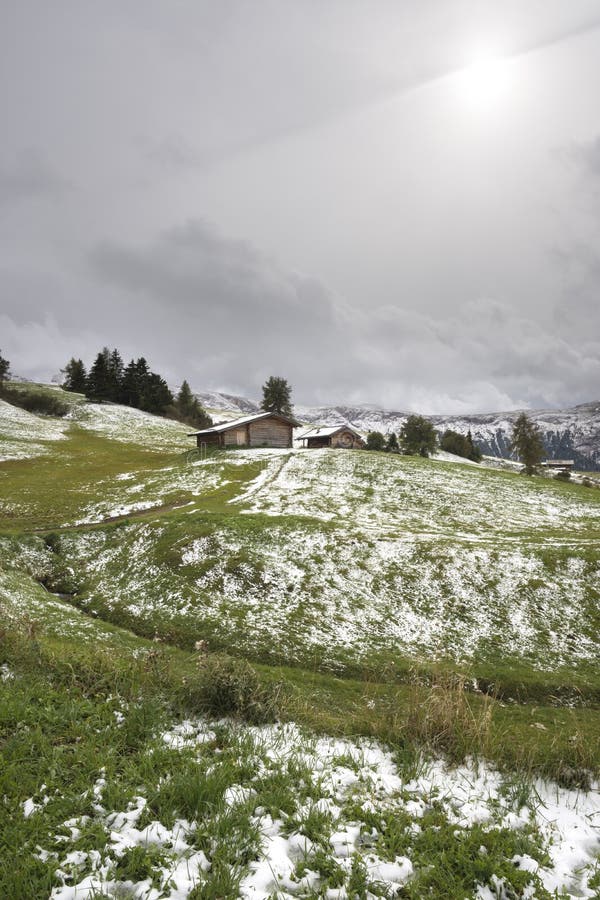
229 686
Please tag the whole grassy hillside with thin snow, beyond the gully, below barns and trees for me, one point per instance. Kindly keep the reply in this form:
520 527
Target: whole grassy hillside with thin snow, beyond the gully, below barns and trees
346 562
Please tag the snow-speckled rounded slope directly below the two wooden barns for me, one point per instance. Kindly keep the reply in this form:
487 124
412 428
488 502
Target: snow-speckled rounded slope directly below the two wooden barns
359 554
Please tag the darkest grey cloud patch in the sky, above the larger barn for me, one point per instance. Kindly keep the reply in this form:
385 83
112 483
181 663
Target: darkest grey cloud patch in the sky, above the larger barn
225 283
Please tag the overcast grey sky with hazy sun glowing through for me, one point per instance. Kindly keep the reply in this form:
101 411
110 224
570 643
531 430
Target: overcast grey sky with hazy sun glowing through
393 202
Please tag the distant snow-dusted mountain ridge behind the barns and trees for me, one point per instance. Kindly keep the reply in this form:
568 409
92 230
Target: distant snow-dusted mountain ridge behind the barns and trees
572 433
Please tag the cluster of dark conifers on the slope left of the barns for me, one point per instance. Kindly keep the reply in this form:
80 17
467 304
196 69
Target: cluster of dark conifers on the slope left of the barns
134 384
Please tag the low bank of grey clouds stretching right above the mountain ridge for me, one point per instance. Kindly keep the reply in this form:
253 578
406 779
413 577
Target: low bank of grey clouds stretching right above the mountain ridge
238 316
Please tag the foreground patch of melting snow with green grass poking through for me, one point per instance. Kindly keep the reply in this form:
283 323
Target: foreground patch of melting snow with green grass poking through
323 817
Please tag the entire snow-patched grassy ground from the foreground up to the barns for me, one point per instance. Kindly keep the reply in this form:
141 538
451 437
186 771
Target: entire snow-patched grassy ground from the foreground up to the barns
423 603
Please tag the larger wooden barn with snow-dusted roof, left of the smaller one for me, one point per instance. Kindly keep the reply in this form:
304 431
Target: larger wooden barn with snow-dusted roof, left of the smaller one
260 430
